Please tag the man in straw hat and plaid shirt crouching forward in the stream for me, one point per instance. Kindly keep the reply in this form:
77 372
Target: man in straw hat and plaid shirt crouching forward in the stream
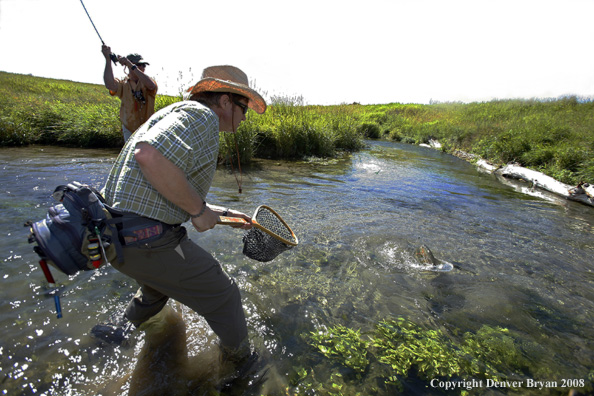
164 173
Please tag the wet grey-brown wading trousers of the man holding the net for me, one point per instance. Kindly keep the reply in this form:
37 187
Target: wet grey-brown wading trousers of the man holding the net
176 267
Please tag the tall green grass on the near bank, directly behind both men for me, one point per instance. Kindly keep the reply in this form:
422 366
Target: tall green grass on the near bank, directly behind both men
37 110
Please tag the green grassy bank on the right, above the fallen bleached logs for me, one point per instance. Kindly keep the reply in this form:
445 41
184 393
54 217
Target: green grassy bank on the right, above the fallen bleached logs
555 137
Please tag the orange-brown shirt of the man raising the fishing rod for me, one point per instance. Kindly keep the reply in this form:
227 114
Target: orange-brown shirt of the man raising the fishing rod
134 113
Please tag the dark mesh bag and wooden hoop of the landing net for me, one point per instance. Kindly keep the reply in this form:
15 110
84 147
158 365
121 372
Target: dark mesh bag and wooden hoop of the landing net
261 246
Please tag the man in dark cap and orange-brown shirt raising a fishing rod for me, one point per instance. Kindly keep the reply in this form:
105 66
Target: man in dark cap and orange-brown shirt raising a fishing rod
137 91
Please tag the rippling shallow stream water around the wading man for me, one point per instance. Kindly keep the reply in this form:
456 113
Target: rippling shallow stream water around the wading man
519 262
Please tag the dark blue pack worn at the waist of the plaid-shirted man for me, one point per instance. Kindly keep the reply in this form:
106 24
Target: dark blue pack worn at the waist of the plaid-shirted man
78 234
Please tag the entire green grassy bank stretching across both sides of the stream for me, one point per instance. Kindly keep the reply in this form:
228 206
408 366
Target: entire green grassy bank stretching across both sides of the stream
555 137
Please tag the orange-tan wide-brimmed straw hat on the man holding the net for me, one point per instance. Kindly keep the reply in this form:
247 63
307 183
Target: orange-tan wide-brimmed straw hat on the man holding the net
229 79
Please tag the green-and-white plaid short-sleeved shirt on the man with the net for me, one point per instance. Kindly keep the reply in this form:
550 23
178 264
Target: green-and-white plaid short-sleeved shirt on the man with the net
187 134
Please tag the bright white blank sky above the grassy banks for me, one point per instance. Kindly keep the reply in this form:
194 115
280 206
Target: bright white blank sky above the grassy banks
324 51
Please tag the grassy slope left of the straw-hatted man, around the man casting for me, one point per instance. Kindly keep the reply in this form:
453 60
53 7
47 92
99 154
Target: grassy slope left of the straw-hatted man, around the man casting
35 110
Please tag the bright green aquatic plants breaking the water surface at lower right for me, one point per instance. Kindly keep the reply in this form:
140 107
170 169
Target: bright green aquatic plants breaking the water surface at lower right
410 351
